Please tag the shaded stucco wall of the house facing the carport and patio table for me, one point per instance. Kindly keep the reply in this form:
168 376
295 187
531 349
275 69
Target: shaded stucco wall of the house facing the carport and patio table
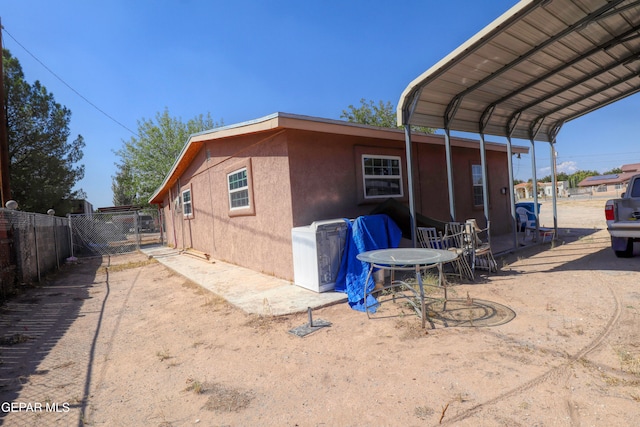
326 179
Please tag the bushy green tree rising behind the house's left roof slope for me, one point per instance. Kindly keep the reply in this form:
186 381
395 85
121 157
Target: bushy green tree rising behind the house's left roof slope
147 158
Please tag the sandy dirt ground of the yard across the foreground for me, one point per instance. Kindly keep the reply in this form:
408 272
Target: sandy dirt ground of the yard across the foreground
553 339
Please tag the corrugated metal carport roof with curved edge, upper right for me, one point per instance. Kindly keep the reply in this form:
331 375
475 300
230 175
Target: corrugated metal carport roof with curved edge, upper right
539 65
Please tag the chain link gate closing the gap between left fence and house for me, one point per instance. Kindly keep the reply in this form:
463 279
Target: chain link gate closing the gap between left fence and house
113 233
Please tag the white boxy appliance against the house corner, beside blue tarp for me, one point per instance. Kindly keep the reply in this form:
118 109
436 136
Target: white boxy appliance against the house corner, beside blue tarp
317 251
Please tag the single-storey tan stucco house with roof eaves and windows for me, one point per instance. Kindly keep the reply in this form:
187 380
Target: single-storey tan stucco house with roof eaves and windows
236 192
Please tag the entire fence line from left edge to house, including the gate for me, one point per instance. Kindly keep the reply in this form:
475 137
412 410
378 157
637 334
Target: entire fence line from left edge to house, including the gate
32 245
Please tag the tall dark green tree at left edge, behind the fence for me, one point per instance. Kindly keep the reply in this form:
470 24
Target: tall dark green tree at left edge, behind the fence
43 163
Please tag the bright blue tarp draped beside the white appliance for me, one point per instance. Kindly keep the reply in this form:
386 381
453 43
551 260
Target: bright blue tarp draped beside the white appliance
367 233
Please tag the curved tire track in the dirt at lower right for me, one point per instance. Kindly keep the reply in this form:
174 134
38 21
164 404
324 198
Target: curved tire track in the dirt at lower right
553 372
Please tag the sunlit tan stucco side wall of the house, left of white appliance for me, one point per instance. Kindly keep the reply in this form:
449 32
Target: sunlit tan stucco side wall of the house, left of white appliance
261 241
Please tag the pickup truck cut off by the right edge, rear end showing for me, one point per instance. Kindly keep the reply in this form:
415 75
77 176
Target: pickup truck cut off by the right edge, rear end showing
623 219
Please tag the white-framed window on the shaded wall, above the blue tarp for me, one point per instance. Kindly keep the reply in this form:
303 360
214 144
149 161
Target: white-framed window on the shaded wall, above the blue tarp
382 176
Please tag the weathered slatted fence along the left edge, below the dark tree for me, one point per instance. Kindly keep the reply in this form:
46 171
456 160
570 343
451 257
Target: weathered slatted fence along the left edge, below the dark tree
30 245
